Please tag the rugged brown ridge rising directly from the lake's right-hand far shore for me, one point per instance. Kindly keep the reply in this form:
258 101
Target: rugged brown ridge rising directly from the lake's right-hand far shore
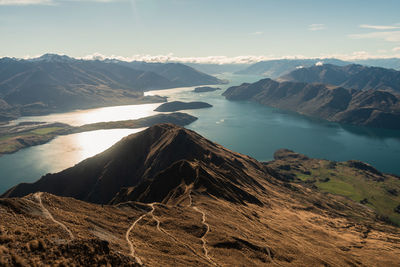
372 108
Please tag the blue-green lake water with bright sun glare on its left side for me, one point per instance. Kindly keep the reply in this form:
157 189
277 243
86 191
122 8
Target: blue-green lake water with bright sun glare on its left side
245 127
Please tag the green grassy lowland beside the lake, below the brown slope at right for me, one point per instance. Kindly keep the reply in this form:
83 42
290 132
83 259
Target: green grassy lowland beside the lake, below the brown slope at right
359 185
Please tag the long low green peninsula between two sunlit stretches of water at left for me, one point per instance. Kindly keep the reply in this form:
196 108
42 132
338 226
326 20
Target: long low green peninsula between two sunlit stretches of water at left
14 138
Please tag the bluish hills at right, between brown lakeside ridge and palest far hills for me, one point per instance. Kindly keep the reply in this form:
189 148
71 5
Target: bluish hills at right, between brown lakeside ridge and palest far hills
350 76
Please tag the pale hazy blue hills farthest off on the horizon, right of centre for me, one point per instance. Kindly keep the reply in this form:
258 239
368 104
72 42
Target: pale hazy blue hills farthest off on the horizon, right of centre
279 67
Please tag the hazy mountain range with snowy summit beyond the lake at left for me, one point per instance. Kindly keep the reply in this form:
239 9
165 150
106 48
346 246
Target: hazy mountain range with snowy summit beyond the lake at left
57 83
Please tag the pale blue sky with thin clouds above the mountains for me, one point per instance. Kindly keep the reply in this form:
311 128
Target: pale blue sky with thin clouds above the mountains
214 31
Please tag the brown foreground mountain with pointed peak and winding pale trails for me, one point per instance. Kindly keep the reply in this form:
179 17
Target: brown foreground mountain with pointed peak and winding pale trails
179 199
